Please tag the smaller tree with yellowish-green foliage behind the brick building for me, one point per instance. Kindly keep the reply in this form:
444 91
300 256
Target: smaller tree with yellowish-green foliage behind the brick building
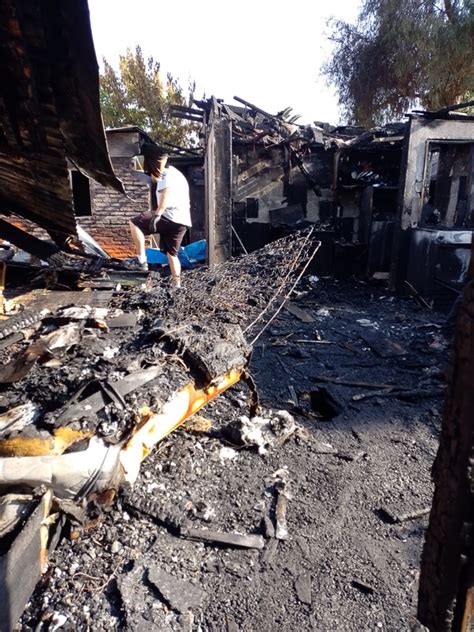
139 94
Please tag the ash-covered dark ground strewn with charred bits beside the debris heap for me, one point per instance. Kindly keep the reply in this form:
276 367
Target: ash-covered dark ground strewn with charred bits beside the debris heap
363 381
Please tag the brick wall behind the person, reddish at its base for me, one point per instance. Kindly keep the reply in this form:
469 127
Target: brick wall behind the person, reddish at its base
108 224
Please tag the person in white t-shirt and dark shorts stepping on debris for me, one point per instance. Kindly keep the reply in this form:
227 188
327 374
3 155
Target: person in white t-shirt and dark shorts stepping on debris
169 214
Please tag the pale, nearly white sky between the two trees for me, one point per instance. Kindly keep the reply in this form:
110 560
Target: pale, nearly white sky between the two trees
267 52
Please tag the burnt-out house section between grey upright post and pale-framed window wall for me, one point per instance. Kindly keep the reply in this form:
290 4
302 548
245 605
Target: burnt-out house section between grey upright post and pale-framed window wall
269 177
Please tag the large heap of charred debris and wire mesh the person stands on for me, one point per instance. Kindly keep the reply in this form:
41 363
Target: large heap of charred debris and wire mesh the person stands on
87 390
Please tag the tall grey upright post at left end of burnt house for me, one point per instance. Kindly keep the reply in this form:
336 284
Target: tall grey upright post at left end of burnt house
218 178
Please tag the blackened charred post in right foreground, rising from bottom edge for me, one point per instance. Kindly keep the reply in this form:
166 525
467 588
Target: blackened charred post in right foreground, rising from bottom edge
446 592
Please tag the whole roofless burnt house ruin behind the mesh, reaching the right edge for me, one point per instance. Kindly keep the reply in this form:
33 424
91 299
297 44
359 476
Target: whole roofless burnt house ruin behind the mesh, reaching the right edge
382 200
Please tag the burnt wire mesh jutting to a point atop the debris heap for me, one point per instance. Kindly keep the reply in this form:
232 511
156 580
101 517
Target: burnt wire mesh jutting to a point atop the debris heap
247 290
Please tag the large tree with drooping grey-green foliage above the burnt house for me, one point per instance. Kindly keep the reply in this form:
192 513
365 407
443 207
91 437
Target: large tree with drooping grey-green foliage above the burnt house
401 54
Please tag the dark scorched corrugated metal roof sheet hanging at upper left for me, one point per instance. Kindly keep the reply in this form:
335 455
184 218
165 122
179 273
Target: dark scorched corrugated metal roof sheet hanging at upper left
49 110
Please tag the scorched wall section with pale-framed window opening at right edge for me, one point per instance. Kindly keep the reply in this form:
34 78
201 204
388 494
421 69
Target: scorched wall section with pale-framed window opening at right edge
436 209
